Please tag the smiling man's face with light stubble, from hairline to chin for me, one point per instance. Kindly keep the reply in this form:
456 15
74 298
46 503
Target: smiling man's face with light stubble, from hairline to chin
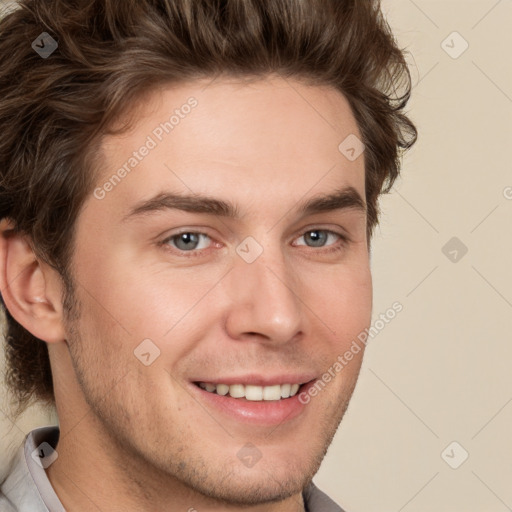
262 298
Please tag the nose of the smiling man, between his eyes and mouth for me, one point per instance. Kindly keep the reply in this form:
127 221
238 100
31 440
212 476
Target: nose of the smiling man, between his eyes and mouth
265 300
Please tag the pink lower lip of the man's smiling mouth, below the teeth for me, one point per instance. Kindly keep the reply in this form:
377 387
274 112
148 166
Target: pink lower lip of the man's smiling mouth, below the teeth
265 412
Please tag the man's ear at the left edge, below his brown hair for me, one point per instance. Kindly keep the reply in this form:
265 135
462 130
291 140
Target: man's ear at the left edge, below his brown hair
31 290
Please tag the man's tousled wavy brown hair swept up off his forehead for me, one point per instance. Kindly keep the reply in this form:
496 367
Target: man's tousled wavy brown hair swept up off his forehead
54 111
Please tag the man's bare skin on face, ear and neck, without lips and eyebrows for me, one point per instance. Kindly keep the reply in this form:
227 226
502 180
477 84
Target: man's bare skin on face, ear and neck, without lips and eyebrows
132 436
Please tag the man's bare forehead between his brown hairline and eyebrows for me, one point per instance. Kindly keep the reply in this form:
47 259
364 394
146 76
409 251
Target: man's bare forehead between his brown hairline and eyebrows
230 137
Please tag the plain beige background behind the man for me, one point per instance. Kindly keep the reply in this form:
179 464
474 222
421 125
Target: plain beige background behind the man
440 371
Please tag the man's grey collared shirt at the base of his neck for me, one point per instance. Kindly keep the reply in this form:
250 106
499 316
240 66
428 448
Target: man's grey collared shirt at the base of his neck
27 488
